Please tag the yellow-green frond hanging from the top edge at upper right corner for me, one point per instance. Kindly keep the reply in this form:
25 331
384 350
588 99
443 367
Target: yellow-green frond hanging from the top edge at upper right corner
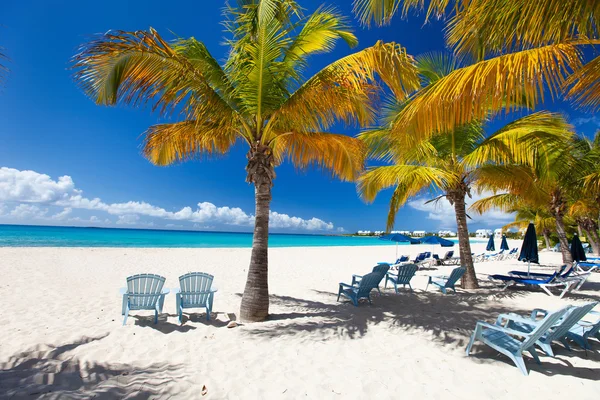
498 25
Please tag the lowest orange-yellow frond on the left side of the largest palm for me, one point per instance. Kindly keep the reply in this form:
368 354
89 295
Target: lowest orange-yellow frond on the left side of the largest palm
165 144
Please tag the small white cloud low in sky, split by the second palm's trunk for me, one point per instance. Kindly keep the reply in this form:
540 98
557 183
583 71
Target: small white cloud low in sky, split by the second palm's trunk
443 212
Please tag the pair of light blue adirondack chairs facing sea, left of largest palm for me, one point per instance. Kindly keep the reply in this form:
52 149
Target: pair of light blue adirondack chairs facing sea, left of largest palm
146 292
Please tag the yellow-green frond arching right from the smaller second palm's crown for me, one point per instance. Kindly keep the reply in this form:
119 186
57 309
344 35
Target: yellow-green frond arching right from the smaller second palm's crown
523 140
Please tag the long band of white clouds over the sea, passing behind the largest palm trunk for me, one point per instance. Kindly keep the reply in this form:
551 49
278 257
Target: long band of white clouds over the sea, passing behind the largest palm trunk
30 187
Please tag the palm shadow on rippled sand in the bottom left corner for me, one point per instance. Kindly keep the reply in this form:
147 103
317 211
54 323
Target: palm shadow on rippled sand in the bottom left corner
52 371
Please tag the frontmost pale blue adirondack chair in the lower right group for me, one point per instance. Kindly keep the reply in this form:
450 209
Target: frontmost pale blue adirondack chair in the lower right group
513 343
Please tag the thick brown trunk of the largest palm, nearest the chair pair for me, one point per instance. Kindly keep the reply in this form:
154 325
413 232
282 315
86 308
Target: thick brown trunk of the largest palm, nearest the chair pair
255 301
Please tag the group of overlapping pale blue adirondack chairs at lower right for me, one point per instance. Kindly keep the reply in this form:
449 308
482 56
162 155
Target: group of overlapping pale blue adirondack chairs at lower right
513 334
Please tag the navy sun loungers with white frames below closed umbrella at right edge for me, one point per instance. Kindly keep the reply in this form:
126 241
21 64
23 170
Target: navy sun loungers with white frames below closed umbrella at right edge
566 279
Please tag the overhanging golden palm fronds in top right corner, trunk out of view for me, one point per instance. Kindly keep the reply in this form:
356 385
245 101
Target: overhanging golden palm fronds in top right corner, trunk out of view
523 49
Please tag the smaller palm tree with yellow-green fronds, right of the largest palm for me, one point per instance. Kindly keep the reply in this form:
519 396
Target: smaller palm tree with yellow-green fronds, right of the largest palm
451 163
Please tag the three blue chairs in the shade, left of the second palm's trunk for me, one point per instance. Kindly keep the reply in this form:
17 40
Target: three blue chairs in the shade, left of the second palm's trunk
362 285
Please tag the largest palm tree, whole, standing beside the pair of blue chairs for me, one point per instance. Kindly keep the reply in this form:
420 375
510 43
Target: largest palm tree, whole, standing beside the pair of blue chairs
258 97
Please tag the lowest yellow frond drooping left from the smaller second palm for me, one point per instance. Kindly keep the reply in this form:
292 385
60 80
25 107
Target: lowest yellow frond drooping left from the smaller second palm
409 180
